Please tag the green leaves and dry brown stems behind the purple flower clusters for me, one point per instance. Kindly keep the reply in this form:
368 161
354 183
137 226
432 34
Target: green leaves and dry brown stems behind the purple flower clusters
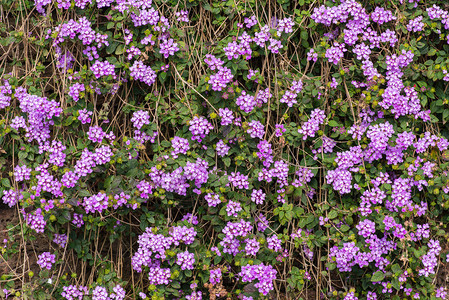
310 218
